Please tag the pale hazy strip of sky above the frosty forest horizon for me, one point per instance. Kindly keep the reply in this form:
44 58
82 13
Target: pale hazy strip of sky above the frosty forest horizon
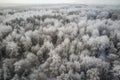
6 3
